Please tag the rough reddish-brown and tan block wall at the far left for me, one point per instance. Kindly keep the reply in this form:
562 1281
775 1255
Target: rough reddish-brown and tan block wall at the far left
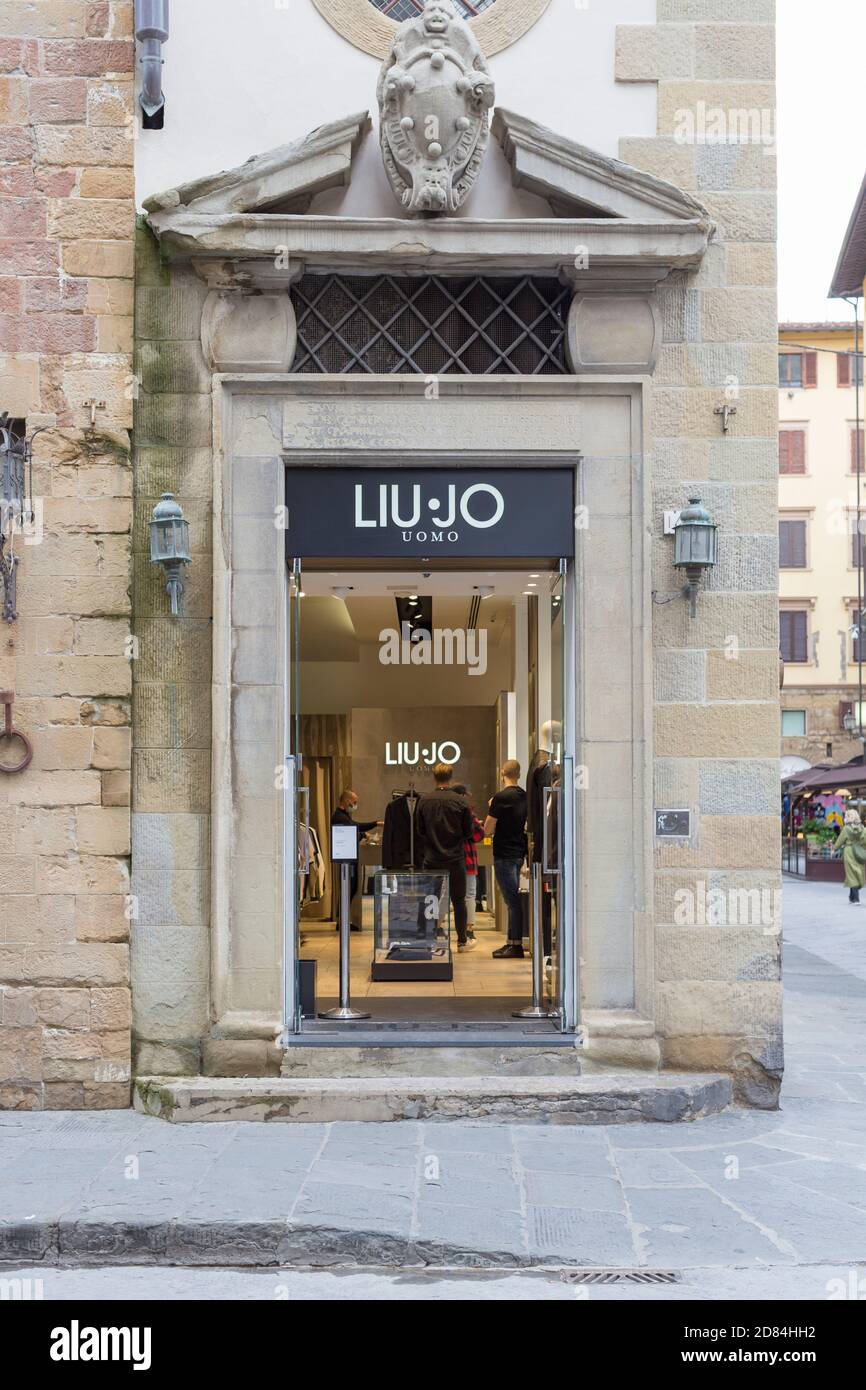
67 220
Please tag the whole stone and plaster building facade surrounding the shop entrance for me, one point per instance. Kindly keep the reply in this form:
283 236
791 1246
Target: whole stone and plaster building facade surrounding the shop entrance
668 266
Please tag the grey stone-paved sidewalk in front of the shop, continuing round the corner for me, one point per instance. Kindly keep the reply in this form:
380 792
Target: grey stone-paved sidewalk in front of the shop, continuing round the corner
743 1191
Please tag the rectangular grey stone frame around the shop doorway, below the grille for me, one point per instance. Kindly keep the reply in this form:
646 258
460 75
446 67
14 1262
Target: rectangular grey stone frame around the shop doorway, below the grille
265 420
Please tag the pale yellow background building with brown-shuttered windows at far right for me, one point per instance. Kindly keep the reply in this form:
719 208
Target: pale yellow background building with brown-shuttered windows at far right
819 555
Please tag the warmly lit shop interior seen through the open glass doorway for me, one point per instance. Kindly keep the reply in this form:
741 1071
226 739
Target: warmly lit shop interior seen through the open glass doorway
397 672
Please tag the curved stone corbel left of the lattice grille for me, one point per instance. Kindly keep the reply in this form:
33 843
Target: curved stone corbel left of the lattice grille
250 332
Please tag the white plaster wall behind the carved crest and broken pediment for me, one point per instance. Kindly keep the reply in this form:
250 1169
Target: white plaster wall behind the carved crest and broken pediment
245 77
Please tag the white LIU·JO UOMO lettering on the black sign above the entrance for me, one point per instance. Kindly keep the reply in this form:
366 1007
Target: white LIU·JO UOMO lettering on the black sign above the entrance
423 515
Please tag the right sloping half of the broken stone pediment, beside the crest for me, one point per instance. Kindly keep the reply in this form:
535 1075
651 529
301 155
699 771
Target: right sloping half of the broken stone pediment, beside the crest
582 183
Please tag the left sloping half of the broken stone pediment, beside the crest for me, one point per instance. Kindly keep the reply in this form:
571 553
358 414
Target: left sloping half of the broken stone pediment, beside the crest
284 180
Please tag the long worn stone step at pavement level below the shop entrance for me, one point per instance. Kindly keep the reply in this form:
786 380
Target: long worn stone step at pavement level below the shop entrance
614 1099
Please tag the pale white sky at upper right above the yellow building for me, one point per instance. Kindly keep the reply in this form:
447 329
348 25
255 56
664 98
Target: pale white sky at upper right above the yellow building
822 148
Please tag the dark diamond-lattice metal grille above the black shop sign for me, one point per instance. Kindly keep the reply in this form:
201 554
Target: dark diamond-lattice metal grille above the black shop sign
432 325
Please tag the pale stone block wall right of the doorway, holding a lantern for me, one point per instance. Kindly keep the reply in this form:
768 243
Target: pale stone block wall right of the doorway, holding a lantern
717 715
